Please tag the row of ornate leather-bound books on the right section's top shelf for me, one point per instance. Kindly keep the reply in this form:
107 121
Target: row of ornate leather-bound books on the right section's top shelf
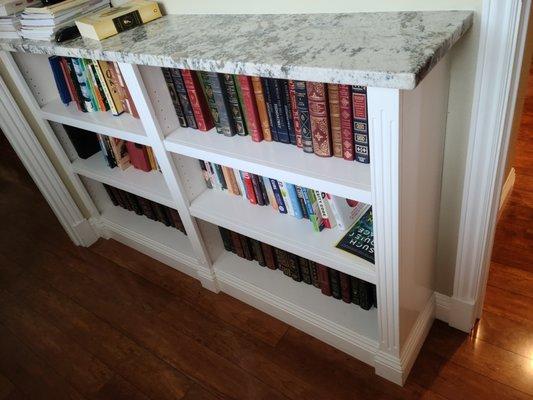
324 119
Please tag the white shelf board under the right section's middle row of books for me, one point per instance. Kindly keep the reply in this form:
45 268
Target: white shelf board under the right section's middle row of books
288 233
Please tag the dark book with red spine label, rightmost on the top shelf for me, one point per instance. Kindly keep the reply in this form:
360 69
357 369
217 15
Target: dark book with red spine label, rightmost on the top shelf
360 124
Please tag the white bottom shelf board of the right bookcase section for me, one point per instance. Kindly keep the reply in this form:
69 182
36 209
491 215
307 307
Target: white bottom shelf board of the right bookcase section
297 298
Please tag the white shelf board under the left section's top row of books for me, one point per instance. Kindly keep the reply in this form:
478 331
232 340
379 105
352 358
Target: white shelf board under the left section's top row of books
123 127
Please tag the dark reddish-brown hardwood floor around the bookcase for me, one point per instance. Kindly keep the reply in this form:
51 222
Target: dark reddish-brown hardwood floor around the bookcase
107 322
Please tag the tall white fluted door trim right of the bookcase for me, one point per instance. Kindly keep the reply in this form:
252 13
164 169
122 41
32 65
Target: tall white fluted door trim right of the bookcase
502 38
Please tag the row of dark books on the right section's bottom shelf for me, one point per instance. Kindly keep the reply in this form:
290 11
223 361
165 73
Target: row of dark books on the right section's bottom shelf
330 281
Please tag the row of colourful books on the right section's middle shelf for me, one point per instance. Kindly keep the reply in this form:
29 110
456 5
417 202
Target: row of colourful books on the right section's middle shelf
322 209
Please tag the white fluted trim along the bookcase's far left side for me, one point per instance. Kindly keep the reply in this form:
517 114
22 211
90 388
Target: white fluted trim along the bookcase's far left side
29 150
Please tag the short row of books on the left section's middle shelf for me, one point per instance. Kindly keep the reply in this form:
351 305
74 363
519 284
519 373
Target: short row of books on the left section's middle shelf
117 152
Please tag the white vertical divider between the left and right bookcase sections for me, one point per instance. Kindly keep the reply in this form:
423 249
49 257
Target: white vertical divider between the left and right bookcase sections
155 134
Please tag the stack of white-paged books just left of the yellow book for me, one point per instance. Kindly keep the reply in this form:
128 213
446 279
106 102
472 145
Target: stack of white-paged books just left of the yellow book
42 23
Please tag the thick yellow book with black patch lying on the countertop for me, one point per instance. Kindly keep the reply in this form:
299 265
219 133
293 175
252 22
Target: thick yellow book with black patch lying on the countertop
111 21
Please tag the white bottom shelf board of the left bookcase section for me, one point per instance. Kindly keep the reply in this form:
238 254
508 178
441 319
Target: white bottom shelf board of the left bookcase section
130 228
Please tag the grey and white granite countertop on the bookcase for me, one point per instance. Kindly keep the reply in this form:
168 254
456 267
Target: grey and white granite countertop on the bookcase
387 49
